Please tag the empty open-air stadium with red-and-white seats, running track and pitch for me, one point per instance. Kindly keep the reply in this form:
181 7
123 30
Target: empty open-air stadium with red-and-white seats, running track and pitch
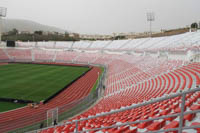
145 84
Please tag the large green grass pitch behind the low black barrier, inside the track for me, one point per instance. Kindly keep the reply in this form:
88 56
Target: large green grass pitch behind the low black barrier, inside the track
35 82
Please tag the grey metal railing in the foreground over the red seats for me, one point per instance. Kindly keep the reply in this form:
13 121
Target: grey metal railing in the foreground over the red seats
181 114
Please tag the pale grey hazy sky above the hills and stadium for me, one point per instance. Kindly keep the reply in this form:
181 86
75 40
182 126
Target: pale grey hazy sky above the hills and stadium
105 16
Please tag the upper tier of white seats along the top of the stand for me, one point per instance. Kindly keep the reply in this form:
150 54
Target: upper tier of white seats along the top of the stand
181 42
